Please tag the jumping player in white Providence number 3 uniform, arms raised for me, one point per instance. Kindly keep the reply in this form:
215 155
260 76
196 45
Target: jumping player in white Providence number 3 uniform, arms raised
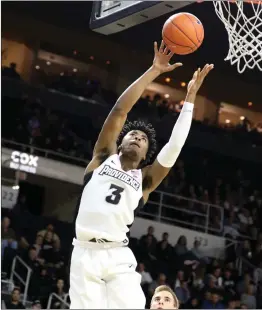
118 181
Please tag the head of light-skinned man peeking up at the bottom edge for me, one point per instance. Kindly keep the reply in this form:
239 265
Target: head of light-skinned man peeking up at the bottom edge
164 298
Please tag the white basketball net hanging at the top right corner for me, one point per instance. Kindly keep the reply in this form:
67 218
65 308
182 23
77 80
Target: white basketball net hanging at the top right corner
243 22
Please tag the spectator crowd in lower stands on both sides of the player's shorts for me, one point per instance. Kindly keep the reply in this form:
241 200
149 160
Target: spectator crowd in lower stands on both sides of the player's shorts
200 282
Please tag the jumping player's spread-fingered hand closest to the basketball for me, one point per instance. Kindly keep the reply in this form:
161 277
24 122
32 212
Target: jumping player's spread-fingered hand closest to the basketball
162 57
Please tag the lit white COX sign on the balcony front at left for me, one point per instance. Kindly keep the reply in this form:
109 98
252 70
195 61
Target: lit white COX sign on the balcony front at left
24 162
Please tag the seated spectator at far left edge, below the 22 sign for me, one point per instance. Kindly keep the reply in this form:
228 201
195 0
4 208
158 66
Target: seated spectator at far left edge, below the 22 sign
8 236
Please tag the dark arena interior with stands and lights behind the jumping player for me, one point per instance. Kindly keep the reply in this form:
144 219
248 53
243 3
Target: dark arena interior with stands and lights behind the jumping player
64 64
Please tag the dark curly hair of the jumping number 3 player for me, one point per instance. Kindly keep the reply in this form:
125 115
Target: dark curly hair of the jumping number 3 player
148 129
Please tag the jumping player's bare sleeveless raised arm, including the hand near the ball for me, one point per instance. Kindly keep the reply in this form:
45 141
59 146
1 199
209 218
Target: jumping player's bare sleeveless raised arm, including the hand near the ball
106 142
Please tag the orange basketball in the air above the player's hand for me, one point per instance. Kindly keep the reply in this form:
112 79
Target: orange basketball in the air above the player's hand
183 33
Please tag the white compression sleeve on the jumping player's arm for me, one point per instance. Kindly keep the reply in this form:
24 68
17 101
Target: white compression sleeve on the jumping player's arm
169 153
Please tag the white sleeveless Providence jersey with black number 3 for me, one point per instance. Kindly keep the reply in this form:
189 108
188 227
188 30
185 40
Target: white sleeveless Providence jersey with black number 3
109 199
